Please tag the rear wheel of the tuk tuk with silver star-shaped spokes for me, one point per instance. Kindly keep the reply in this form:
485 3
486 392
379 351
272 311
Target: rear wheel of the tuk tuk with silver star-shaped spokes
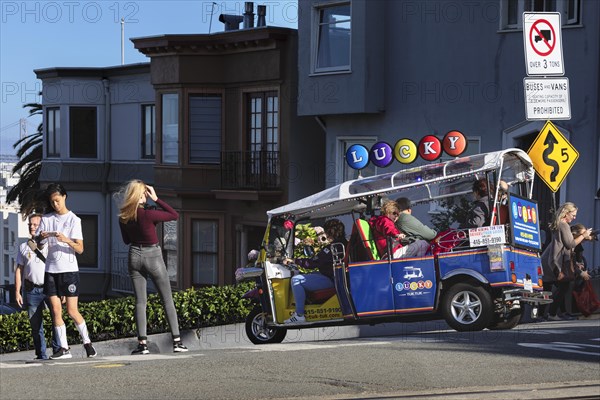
466 307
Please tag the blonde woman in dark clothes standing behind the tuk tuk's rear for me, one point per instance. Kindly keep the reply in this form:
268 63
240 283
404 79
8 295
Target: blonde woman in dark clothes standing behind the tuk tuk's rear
556 259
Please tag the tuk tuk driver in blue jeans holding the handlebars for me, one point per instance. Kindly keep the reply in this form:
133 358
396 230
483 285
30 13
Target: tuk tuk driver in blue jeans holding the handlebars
323 261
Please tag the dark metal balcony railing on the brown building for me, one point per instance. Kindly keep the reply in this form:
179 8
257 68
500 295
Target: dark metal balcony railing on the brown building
250 170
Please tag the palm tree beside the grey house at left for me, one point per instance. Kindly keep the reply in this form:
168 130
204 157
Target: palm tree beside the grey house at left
29 166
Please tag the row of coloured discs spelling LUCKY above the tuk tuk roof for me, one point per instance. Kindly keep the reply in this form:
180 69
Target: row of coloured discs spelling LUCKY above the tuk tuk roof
405 150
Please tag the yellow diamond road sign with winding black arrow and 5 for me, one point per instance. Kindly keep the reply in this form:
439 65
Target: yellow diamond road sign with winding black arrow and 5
552 156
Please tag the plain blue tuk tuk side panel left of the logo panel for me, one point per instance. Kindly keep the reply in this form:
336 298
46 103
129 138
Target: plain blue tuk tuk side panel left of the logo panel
371 289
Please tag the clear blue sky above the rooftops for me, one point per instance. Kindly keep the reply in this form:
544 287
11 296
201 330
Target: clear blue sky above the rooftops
44 34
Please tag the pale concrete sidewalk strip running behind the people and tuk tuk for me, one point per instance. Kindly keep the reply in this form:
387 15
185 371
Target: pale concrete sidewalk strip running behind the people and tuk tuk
234 336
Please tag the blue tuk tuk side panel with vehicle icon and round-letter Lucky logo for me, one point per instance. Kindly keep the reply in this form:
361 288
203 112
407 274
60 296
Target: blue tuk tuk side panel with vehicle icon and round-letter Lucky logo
414 285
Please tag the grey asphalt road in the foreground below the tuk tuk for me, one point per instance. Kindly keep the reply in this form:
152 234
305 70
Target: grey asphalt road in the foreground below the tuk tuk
542 360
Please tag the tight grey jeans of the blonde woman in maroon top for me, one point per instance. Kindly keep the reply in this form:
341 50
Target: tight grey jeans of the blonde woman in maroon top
147 262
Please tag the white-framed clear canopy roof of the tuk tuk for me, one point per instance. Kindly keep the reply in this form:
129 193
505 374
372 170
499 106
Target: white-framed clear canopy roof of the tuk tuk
432 181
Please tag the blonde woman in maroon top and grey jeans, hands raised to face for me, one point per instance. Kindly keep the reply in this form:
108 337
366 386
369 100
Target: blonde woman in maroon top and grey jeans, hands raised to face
138 229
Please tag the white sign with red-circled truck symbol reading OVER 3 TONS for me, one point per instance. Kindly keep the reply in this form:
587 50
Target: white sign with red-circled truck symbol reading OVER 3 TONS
543 43
